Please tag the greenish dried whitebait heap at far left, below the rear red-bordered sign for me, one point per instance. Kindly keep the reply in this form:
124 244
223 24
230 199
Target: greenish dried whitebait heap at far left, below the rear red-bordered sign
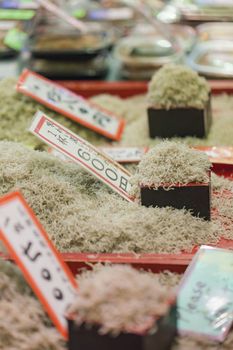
17 110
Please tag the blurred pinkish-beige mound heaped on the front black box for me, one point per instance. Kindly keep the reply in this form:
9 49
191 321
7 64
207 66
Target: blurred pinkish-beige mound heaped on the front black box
119 299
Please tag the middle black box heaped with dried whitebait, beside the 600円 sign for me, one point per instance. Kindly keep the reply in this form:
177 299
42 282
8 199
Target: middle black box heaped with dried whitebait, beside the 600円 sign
173 175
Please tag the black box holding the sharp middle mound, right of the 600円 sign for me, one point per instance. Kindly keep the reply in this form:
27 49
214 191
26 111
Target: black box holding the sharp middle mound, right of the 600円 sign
194 196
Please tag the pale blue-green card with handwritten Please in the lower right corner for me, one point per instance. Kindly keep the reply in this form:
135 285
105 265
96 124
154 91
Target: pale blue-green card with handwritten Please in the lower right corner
205 297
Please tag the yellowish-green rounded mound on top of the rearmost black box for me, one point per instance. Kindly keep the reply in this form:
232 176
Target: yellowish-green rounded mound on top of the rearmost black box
177 86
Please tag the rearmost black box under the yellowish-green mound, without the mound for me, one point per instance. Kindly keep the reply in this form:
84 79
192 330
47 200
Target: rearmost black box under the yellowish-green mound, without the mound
179 121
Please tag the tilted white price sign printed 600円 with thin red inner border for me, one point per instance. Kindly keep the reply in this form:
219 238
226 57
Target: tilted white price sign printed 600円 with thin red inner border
82 152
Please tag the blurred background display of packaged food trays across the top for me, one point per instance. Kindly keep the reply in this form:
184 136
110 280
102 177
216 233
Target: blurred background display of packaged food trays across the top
120 39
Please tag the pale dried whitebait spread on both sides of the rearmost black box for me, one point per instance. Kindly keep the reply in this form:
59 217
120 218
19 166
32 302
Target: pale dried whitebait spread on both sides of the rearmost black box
137 134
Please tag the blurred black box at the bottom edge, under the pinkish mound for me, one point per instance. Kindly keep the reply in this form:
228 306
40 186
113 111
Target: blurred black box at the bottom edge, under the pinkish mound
84 338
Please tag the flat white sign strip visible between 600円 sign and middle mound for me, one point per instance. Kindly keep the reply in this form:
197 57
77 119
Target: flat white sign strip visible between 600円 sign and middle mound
125 154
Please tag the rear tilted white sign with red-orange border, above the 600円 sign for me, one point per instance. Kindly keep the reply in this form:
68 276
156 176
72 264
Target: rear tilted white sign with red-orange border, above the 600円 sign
70 105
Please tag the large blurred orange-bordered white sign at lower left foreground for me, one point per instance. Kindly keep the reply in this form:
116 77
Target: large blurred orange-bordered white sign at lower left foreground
41 264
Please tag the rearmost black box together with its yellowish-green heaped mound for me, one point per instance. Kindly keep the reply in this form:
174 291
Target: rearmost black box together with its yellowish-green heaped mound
179 103
